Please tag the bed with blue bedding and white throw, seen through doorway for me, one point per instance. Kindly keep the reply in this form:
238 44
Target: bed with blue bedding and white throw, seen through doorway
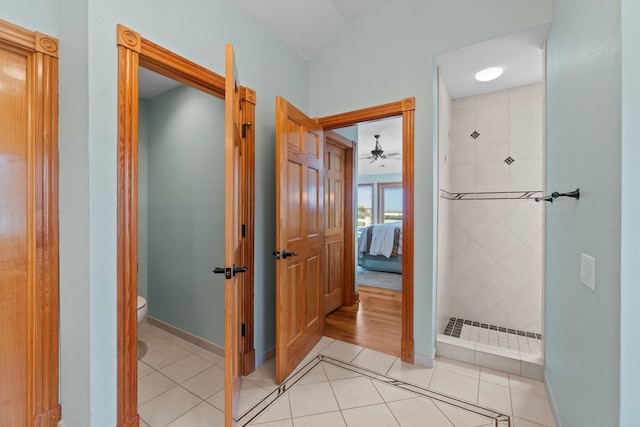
380 247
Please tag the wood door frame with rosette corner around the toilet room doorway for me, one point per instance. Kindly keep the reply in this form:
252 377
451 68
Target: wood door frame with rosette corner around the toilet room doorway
135 51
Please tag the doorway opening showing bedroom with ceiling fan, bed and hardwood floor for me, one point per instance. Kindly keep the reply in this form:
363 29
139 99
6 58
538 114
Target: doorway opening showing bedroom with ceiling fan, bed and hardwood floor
375 321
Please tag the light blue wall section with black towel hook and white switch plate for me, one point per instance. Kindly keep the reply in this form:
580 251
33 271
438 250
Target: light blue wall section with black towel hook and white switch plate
582 345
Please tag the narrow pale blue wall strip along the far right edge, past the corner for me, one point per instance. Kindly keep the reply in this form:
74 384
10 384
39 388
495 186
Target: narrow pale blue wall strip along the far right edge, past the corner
630 272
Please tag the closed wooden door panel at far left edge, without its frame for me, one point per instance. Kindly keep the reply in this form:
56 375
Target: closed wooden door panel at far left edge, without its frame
14 260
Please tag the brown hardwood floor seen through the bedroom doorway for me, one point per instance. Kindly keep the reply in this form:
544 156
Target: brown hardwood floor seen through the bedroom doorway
375 322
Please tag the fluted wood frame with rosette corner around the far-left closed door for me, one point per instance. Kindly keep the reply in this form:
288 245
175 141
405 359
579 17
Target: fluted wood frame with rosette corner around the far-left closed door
43 292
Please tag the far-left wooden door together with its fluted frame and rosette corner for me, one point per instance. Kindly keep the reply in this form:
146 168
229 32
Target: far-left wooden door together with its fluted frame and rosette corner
28 228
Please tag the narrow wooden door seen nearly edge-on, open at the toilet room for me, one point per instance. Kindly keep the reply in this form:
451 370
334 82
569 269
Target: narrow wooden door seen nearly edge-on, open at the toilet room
233 238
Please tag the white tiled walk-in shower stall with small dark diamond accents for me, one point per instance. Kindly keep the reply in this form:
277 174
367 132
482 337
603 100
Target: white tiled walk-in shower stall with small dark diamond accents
490 228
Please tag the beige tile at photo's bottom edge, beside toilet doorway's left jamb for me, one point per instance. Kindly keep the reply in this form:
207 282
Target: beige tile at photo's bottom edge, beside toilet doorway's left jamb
168 406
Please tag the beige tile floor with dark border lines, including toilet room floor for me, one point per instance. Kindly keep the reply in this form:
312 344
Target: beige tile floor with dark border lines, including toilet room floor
337 384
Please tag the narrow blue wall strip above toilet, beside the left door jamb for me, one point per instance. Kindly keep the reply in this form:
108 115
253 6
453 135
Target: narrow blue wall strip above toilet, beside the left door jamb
143 200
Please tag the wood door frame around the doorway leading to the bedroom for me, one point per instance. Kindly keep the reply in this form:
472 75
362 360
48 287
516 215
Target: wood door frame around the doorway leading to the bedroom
404 108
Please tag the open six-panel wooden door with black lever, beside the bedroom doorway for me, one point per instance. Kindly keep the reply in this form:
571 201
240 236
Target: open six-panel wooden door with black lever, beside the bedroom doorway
299 236
